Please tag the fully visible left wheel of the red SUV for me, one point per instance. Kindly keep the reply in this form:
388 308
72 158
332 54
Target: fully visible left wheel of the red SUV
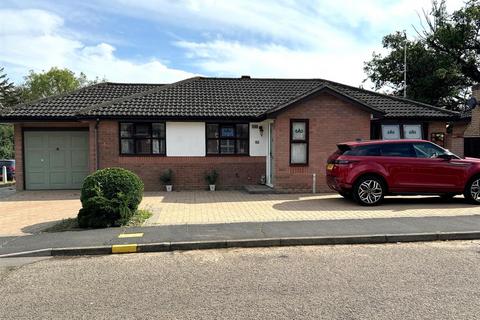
369 191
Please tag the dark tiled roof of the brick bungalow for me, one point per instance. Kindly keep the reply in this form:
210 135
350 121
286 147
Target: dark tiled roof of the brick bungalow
202 97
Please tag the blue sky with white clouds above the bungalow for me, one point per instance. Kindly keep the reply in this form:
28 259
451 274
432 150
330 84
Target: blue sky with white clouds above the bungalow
160 41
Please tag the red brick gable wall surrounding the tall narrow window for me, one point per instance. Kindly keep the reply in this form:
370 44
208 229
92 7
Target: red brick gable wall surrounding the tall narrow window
331 121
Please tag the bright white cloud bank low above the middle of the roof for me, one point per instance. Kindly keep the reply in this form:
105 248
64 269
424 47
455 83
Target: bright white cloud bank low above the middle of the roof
234 59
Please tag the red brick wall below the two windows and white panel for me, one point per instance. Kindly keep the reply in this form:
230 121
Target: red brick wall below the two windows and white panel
235 171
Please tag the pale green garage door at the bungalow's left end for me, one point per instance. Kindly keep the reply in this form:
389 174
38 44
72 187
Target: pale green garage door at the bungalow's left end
55 159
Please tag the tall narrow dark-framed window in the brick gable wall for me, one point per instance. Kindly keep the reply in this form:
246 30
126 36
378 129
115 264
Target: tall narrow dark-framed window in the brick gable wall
299 142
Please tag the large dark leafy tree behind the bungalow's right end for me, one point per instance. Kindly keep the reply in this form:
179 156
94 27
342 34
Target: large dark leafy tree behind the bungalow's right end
442 63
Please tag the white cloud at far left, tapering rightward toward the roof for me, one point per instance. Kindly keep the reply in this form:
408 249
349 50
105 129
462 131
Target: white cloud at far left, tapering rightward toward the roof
37 41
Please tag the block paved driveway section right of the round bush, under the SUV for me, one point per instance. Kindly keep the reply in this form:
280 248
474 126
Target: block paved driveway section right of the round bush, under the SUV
204 207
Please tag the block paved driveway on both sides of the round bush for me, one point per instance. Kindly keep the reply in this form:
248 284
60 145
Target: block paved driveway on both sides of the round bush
30 212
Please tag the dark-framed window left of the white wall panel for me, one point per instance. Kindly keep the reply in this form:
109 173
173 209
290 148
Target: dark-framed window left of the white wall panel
142 138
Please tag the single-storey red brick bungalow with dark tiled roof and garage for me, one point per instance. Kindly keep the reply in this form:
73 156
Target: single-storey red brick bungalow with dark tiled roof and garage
276 131
